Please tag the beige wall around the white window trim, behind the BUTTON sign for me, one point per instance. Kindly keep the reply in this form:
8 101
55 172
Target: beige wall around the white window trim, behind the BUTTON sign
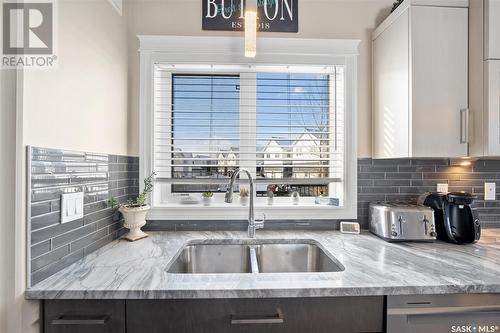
353 19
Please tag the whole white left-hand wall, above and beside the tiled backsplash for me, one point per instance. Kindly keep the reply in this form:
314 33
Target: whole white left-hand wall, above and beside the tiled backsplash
81 105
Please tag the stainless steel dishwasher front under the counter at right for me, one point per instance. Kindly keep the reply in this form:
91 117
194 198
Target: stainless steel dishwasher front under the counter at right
443 313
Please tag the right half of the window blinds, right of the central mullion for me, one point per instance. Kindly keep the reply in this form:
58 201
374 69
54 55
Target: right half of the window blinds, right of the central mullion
296 128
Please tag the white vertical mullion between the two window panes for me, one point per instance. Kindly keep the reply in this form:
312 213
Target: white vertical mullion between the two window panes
248 123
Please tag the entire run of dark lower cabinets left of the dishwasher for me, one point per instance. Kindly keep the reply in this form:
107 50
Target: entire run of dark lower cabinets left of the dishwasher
290 315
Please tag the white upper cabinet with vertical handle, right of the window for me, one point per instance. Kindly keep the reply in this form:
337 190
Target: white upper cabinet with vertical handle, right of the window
420 81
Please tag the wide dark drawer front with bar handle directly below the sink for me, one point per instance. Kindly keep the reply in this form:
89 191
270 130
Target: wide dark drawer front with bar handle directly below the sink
290 315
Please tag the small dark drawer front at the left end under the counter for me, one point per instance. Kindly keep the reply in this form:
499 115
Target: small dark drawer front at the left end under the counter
84 316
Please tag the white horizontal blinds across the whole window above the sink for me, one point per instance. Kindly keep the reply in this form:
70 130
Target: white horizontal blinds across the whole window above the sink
284 125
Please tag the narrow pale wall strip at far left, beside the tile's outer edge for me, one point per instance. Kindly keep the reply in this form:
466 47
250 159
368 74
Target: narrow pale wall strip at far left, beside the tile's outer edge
16 314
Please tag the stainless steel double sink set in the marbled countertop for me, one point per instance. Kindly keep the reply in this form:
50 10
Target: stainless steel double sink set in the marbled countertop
253 256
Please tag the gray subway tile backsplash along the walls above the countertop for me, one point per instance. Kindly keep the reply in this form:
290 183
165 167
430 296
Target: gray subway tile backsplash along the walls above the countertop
102 176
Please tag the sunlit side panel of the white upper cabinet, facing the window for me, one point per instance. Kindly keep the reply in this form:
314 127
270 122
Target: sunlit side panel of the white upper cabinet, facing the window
391 90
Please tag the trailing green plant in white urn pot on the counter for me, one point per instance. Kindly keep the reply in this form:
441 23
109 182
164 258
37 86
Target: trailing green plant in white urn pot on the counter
134 211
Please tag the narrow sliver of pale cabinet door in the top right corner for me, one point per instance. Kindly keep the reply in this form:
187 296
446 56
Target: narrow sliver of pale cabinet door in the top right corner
492 29
